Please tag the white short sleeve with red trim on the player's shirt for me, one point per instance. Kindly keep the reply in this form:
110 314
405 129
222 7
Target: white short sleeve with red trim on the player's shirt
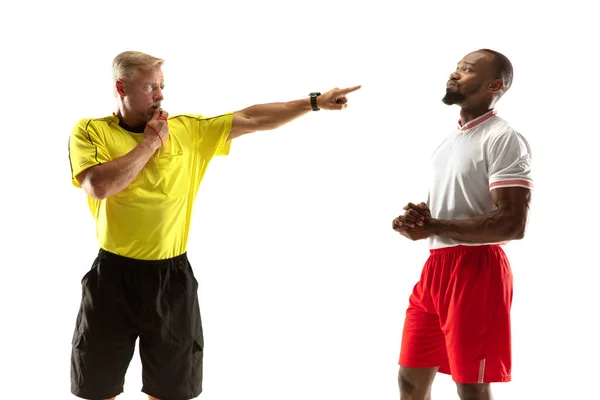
509 161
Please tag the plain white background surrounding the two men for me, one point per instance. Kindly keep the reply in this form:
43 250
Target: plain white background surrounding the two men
303 284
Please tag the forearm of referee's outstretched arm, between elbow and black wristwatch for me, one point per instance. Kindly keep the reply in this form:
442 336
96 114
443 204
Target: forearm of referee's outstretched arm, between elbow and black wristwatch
273 115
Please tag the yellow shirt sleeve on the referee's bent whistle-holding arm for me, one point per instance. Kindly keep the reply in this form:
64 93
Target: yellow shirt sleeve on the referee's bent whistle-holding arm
86 149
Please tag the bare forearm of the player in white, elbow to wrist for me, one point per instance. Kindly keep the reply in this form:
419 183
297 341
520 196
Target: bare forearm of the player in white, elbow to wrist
492 227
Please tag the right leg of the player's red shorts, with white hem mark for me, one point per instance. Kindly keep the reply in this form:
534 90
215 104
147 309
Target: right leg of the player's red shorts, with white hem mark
477 318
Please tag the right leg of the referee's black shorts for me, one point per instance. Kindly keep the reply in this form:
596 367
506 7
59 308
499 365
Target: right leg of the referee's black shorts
172 342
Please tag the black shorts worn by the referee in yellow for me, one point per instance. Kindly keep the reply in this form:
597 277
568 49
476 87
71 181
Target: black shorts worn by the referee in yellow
124 299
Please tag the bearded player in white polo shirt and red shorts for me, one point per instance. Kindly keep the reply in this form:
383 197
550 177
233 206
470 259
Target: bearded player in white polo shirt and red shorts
458 318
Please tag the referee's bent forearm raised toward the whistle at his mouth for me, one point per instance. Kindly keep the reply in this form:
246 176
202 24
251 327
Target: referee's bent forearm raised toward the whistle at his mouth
112 177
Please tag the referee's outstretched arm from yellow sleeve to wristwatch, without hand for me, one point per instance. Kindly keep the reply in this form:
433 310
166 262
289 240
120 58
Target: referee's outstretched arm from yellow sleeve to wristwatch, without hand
263 117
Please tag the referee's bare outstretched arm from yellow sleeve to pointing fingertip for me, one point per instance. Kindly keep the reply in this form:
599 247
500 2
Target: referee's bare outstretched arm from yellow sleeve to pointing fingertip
263 117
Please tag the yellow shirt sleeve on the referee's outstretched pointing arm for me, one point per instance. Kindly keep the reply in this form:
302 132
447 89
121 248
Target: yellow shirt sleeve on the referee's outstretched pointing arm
213 133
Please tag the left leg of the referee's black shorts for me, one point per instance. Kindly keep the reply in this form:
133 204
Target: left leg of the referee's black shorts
103 342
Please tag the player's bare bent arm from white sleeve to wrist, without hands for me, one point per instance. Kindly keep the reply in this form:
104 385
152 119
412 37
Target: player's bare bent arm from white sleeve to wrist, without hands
506 222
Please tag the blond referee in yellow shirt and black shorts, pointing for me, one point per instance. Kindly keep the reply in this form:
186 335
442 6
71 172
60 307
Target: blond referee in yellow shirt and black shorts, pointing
141 170
